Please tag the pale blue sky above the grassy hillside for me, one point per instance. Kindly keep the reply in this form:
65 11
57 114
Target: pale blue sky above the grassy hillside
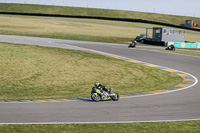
172 7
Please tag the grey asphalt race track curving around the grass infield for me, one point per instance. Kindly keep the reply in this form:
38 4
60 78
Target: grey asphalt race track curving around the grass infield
175 106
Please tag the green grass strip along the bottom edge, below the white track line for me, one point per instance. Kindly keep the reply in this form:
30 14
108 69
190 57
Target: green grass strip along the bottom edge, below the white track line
157 127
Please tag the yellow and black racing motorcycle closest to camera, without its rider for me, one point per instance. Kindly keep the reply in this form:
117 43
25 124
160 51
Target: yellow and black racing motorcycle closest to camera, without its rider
101 95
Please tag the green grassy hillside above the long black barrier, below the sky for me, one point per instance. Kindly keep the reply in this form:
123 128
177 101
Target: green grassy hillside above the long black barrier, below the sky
26 8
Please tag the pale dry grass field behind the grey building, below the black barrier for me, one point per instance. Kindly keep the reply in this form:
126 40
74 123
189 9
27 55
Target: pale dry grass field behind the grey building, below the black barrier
73 29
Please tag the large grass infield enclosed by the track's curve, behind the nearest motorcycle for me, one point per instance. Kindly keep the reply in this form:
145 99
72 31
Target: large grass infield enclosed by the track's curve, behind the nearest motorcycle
33 72
